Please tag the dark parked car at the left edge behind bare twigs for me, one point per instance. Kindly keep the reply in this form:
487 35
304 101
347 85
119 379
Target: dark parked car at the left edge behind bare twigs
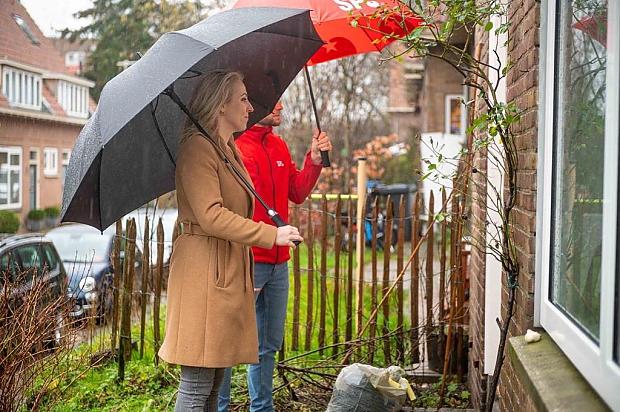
24 257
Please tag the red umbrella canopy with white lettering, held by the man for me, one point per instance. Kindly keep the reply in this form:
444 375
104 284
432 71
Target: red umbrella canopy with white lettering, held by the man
332 20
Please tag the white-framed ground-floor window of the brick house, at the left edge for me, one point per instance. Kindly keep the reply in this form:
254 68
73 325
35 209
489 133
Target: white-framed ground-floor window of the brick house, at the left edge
10 177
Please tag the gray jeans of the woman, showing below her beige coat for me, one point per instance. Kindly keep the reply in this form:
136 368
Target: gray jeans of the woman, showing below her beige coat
198 389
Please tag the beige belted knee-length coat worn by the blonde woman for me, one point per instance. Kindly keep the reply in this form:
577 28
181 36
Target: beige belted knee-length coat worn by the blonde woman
211 319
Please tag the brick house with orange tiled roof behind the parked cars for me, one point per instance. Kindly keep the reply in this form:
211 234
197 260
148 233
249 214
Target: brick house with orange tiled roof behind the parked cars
43 107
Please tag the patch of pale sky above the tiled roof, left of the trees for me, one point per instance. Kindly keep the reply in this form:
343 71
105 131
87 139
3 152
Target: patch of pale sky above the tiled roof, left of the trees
52 15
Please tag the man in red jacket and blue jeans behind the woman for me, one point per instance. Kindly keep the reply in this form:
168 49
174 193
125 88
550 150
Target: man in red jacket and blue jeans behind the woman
277 180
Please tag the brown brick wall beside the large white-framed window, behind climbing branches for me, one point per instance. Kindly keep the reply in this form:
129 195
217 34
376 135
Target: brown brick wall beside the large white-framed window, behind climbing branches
522 88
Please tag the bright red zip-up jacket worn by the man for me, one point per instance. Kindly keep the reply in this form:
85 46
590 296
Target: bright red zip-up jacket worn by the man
276 179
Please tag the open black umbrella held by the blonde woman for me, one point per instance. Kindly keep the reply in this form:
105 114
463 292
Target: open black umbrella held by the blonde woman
125 154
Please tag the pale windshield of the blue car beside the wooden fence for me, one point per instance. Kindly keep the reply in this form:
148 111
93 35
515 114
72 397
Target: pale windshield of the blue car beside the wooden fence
81 247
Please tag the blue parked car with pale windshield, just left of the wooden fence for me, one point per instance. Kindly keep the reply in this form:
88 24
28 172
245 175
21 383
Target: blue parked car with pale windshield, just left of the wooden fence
86 254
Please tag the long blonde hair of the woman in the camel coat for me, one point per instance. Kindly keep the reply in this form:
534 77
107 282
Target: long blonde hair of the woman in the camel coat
213 93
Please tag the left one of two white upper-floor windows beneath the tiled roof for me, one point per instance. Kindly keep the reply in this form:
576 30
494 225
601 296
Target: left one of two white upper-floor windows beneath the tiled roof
21 88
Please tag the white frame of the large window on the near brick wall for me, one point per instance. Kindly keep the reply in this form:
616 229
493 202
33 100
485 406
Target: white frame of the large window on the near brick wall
595 362
